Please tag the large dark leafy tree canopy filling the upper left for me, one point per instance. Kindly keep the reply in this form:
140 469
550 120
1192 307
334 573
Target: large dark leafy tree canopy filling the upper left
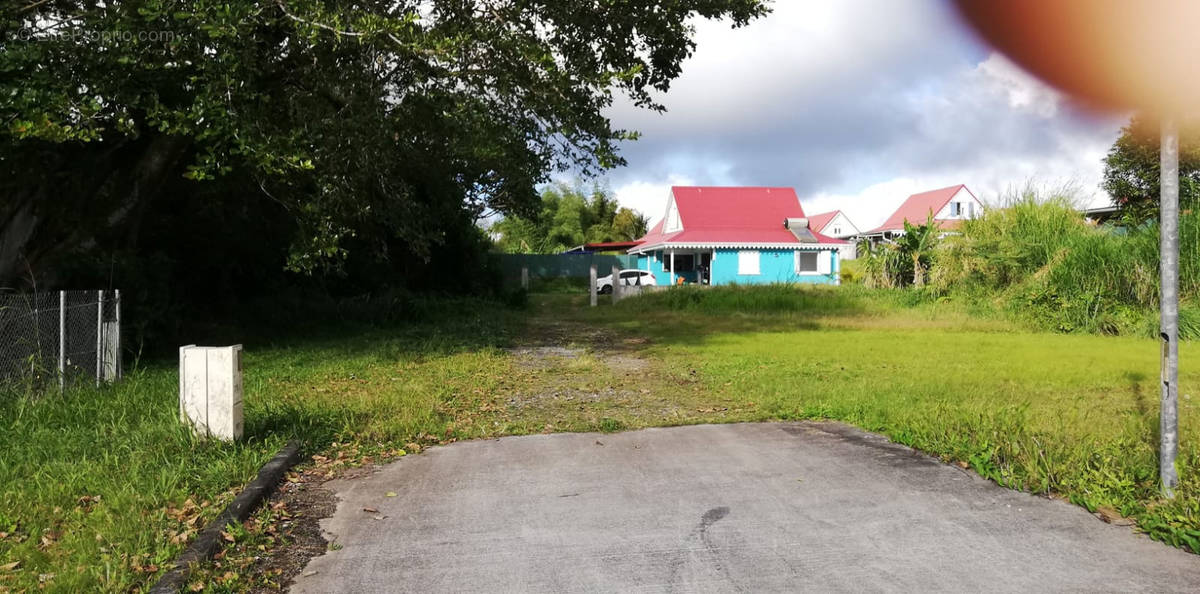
365 124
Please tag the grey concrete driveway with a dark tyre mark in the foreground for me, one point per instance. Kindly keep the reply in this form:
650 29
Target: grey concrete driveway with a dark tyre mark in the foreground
717 508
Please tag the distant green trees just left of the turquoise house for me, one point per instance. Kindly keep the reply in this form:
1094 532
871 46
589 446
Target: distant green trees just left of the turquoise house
571 217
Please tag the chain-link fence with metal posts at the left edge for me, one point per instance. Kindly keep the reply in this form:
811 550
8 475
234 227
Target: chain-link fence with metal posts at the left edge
69 337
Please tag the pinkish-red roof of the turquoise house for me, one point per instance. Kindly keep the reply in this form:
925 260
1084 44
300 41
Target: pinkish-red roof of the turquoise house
734 215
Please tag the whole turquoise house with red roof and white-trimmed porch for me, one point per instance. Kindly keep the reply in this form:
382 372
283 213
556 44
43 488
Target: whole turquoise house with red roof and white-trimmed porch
748 236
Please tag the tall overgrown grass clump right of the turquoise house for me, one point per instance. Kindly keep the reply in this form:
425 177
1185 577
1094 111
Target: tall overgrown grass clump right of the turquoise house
1036 256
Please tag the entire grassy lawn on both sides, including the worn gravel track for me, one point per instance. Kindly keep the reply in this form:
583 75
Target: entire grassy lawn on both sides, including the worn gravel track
101 488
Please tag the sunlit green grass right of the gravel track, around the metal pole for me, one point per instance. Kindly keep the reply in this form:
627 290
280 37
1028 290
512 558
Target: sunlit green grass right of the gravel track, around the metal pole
1075 416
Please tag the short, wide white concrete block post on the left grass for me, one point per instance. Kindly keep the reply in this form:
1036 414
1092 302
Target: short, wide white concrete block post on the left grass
211 391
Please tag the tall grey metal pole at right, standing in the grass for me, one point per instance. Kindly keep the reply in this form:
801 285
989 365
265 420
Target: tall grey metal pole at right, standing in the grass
1169 304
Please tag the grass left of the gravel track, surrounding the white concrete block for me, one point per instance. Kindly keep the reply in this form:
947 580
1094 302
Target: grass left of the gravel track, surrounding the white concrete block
379 387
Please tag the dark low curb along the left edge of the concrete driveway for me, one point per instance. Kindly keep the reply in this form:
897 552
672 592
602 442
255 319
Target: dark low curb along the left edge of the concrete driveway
209 541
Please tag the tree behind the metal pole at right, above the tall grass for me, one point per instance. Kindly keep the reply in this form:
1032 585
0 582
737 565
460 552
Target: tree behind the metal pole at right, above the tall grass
1131 169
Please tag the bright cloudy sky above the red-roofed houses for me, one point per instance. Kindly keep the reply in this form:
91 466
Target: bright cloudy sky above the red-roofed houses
857 104
